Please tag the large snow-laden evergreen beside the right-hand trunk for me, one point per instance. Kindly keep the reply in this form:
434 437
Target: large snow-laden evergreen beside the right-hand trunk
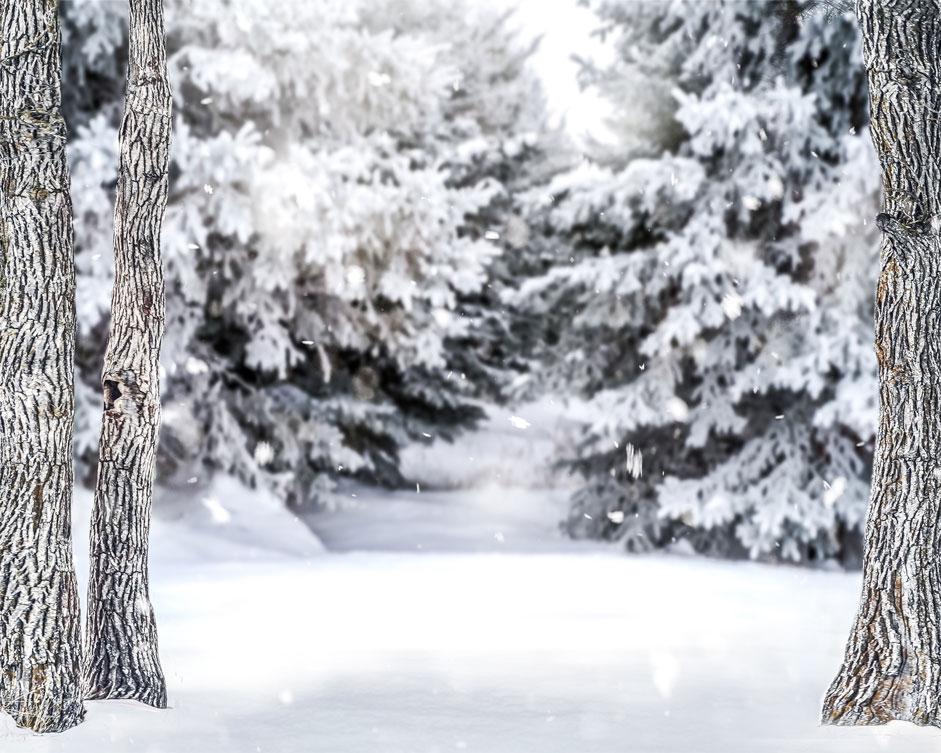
712 290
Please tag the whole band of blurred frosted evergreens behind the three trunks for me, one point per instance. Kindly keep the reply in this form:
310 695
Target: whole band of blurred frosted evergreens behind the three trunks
378 236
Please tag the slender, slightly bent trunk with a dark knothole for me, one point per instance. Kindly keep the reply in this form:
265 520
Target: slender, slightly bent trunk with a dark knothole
121 636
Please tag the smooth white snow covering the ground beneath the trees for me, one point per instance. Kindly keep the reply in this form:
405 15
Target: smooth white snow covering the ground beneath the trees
532 644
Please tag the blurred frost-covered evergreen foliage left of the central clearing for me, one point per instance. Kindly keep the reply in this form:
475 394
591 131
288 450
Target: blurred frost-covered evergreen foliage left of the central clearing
341 174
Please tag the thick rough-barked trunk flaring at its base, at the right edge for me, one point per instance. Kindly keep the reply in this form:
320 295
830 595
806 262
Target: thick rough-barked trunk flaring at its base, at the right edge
892 666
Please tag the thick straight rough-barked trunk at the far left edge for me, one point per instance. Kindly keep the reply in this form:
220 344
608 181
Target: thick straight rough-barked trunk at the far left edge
40 682
